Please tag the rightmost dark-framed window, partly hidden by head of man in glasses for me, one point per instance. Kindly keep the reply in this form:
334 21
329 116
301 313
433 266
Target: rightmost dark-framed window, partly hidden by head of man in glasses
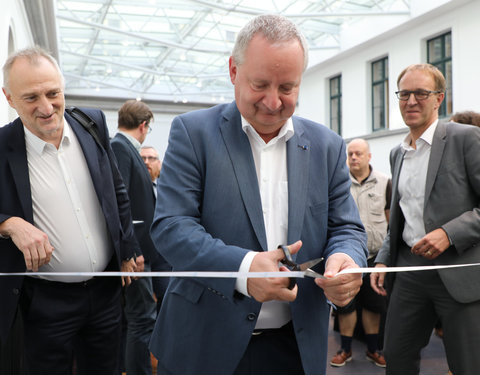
439 53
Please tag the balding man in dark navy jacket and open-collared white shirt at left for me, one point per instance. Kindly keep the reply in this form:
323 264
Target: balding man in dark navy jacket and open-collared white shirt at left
63 208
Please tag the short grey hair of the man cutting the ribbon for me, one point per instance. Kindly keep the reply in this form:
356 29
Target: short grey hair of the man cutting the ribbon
274 28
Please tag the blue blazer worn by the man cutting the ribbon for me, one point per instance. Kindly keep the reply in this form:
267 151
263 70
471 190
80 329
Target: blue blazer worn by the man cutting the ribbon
209 215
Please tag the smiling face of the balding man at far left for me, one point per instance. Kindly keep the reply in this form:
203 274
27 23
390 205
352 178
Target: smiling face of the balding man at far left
36 93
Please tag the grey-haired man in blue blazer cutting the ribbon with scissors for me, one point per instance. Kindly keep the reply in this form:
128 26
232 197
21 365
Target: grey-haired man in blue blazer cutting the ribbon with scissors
238 180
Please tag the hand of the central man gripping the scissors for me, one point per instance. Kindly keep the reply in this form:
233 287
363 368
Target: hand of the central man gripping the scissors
272 288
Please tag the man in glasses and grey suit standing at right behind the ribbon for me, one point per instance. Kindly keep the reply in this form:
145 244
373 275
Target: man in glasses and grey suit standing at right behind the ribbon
434 219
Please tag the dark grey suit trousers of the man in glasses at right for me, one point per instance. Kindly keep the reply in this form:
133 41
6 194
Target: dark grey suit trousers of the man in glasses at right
417 301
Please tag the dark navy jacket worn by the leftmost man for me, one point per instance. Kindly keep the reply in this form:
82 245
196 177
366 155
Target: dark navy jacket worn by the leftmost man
16 200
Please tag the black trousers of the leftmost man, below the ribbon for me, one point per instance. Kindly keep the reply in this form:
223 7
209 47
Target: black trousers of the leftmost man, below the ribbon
63 321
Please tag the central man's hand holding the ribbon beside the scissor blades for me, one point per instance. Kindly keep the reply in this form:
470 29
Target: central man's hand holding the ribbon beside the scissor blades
341 289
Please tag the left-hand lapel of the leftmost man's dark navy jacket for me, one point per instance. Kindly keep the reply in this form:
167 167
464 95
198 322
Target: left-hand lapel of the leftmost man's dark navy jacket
17 158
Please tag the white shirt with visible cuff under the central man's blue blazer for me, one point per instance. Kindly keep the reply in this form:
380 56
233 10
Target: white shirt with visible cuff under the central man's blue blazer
271 167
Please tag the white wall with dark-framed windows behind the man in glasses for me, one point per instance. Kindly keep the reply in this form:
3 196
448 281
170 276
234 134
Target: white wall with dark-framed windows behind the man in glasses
404 45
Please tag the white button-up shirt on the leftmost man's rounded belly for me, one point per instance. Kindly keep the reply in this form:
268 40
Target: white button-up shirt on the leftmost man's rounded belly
66 207
